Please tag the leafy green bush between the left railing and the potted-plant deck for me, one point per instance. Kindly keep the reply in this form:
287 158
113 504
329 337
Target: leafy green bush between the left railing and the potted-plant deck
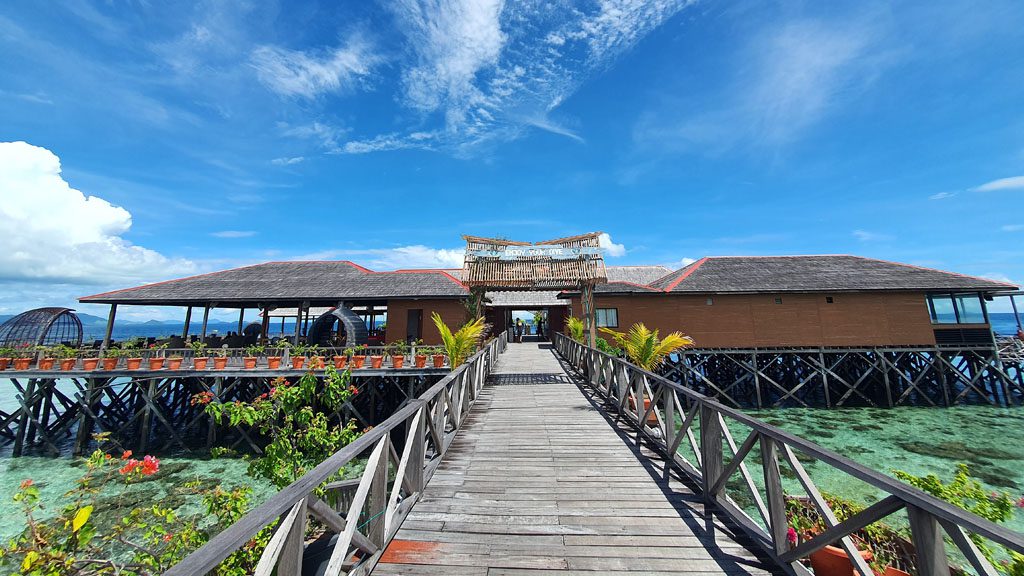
295 418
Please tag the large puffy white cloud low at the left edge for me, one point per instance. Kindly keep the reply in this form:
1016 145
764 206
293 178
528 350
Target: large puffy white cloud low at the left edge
56 233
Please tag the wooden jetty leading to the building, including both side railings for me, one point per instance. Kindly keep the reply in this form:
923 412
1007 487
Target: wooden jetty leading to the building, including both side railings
537 464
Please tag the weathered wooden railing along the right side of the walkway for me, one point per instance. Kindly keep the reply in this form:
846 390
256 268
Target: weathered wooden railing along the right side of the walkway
667 416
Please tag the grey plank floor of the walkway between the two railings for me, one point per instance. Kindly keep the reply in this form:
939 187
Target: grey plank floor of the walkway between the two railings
540 482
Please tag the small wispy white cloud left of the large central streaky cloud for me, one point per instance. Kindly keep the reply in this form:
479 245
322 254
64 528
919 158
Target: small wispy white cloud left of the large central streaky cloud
308 75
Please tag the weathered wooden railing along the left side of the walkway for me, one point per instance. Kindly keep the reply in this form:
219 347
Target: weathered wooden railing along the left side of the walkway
381 499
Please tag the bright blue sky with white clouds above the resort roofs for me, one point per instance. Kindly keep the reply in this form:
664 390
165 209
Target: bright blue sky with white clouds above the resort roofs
211 135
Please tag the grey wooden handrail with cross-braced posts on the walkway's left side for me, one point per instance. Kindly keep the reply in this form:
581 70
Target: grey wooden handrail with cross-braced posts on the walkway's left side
434 419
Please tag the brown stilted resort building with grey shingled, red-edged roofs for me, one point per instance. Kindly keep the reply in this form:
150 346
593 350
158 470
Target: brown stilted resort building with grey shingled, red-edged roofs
721 303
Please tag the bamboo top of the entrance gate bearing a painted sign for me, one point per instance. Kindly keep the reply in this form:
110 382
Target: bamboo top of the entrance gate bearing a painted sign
490 265
